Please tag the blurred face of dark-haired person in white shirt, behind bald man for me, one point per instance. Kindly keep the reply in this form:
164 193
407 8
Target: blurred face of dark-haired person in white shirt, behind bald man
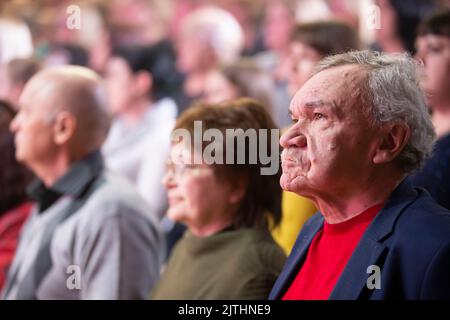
120 85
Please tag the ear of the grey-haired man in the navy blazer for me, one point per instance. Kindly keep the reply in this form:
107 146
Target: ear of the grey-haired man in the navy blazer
393 139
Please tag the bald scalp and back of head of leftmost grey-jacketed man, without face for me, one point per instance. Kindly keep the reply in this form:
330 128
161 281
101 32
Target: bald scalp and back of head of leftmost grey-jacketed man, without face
74 91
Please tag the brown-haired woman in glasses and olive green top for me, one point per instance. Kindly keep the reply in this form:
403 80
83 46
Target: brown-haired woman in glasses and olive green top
227 251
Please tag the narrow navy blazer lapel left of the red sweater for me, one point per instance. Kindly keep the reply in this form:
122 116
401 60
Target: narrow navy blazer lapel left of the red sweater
297 257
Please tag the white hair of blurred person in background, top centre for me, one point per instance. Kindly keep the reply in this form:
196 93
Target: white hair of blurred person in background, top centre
219 29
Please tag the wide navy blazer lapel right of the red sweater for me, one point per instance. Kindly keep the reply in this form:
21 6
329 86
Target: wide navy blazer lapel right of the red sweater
371 247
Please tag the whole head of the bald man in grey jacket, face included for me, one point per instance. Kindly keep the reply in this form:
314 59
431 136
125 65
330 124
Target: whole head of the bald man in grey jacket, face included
63 115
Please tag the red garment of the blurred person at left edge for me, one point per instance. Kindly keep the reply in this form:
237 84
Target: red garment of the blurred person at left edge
10 225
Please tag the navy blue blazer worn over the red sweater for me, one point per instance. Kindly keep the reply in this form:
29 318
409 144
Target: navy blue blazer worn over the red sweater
409 240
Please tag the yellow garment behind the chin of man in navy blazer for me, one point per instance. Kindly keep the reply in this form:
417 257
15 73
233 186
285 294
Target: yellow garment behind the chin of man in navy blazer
295 211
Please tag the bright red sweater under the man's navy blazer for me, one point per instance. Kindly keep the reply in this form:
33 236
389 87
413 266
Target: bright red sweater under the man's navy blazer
327 257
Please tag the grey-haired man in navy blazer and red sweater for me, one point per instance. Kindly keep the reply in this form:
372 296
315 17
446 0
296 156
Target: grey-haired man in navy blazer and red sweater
361 126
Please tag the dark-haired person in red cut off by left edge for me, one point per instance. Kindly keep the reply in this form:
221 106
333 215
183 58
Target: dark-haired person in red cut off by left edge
14 204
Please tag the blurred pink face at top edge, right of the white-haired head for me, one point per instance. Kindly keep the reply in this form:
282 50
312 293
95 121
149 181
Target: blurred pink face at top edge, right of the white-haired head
278 25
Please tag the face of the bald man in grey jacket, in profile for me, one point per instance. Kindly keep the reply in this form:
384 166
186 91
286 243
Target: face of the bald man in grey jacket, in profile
33 127
